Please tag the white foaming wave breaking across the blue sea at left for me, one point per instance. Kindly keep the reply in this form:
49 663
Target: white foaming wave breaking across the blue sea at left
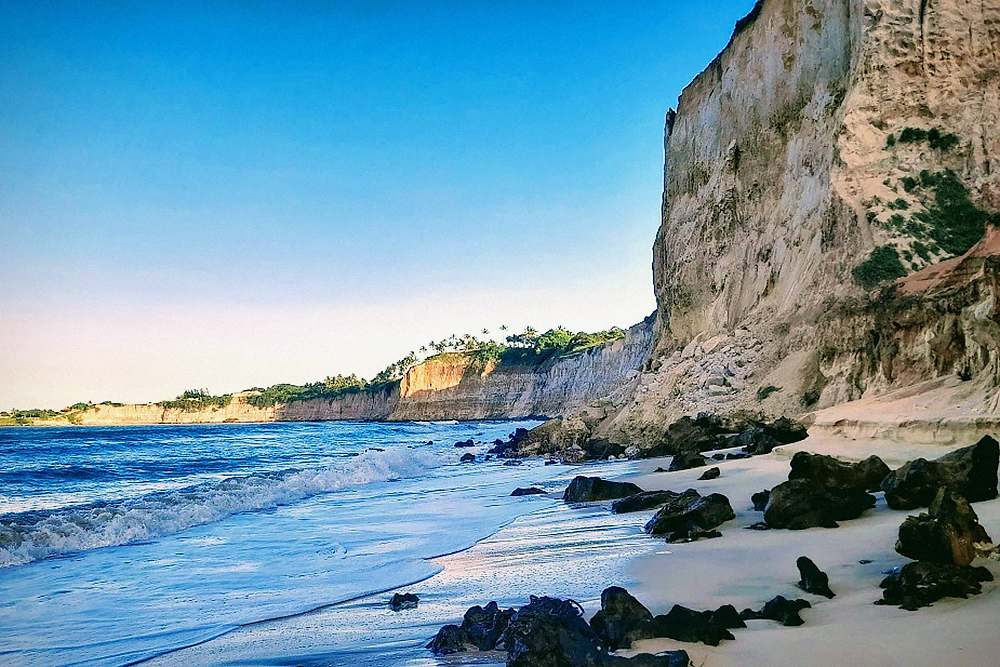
32 536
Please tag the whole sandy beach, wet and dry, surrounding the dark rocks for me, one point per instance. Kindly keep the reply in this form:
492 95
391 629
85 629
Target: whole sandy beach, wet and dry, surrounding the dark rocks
576 551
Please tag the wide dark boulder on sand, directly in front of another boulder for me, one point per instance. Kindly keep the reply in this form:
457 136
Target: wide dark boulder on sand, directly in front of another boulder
802 503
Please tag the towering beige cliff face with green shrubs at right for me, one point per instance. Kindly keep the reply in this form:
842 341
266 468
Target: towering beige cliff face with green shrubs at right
833 144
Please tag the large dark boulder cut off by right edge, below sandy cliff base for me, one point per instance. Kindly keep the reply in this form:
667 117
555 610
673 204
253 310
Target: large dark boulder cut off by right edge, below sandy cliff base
970 472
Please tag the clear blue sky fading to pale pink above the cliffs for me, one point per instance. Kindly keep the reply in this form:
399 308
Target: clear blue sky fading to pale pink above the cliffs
224 195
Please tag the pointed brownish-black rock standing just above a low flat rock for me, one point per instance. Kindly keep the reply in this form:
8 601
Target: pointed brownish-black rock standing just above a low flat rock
946 534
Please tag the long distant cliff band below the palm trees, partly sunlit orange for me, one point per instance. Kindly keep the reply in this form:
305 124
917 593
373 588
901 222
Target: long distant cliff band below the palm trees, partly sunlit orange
451 386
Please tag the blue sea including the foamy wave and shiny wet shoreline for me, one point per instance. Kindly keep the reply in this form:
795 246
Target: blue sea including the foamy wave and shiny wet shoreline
124 545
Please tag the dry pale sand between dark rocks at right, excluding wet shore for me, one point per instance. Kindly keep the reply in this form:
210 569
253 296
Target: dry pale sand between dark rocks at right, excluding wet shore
746 568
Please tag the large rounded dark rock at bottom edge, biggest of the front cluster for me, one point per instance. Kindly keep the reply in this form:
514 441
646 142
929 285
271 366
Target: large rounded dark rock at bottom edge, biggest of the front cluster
550 632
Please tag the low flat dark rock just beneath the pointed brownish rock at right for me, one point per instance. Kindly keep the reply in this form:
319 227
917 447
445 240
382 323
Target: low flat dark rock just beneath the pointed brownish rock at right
921 584
